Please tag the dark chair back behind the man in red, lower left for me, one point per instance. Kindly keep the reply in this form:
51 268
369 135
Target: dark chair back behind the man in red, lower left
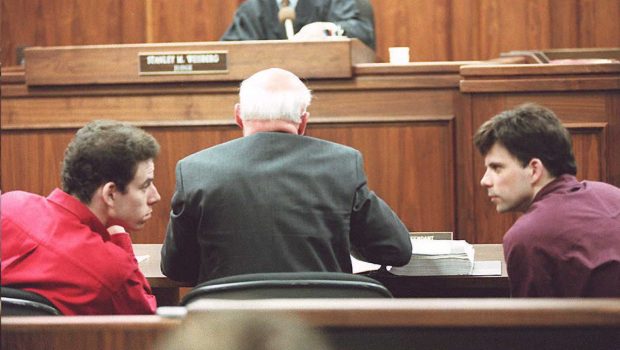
17 302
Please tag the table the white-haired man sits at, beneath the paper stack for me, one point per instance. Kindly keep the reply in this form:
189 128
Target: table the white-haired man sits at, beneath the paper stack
167 291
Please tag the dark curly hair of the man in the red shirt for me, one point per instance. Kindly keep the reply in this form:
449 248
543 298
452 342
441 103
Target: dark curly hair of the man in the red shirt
104 151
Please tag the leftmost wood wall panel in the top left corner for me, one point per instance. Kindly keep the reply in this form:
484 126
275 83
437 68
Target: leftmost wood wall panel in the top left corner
69 22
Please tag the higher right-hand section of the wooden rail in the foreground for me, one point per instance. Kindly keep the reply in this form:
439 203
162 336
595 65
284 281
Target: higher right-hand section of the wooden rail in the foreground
446 323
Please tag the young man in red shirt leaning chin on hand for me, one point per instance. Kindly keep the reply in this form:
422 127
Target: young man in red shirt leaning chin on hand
72 247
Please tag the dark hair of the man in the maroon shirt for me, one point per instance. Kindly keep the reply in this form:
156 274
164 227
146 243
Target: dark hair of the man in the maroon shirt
530 131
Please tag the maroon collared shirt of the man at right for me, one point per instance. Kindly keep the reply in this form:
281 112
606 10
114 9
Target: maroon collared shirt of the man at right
567 244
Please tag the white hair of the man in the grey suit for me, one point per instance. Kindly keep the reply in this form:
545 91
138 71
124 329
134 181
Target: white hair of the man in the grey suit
261 99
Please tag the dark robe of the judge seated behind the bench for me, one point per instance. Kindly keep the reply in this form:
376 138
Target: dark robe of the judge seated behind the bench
258 20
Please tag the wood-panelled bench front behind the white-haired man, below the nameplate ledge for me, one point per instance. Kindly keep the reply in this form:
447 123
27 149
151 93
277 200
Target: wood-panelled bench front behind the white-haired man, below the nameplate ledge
404 125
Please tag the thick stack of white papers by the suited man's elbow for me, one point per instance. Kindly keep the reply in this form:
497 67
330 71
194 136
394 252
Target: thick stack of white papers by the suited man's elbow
438 257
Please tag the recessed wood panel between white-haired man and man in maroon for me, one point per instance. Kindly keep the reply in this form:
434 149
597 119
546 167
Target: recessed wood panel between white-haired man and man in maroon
409 165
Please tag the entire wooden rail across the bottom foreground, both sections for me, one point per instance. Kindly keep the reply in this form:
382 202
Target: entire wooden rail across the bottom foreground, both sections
369 324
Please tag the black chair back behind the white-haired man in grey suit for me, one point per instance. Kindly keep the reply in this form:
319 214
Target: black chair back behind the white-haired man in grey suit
289 285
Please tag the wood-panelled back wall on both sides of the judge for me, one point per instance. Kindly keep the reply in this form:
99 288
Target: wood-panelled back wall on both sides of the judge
435 30
